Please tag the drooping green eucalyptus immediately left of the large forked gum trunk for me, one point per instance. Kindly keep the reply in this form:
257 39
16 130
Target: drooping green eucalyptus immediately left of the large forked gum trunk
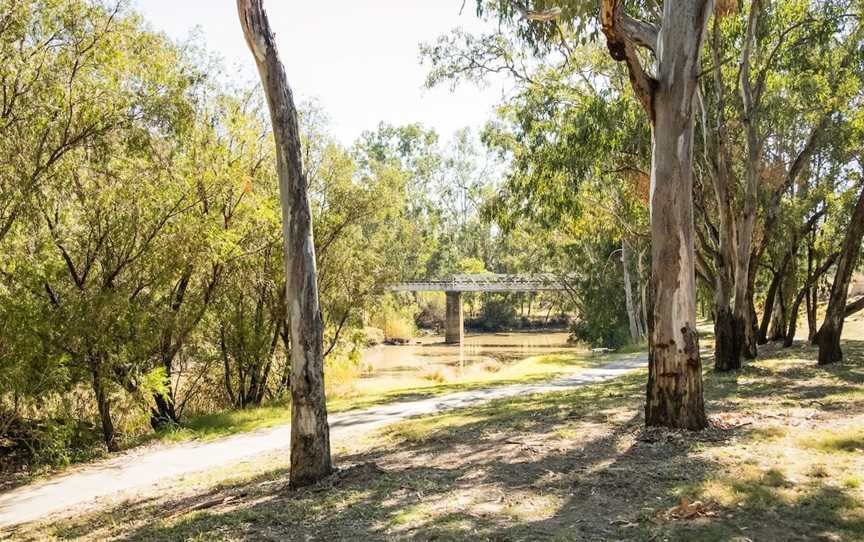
578 159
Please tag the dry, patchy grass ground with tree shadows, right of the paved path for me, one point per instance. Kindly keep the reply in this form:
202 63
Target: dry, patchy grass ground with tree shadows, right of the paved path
783 460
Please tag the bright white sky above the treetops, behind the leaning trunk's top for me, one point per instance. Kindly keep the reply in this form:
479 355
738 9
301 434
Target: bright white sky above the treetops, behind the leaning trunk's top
358 58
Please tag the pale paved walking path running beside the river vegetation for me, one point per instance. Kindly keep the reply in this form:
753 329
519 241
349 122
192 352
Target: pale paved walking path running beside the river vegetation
136 470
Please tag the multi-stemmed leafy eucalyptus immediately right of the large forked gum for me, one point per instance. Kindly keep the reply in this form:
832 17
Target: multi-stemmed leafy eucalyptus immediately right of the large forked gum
761 129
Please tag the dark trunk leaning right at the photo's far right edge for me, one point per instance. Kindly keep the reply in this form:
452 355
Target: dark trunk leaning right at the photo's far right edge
832 327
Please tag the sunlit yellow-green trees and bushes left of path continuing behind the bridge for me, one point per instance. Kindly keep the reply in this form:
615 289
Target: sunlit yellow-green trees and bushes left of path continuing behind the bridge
140 233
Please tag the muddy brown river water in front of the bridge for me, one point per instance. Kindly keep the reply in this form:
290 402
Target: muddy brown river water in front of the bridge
428 358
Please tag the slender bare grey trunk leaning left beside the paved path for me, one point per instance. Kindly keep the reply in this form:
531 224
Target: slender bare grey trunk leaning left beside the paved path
310 433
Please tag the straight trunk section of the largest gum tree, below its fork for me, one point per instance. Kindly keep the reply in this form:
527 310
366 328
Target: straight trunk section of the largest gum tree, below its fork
675 370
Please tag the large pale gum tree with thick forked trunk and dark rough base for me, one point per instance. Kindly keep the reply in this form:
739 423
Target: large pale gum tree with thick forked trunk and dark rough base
674 394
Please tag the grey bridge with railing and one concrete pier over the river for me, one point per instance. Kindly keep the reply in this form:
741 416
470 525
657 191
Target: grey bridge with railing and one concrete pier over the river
454 324
